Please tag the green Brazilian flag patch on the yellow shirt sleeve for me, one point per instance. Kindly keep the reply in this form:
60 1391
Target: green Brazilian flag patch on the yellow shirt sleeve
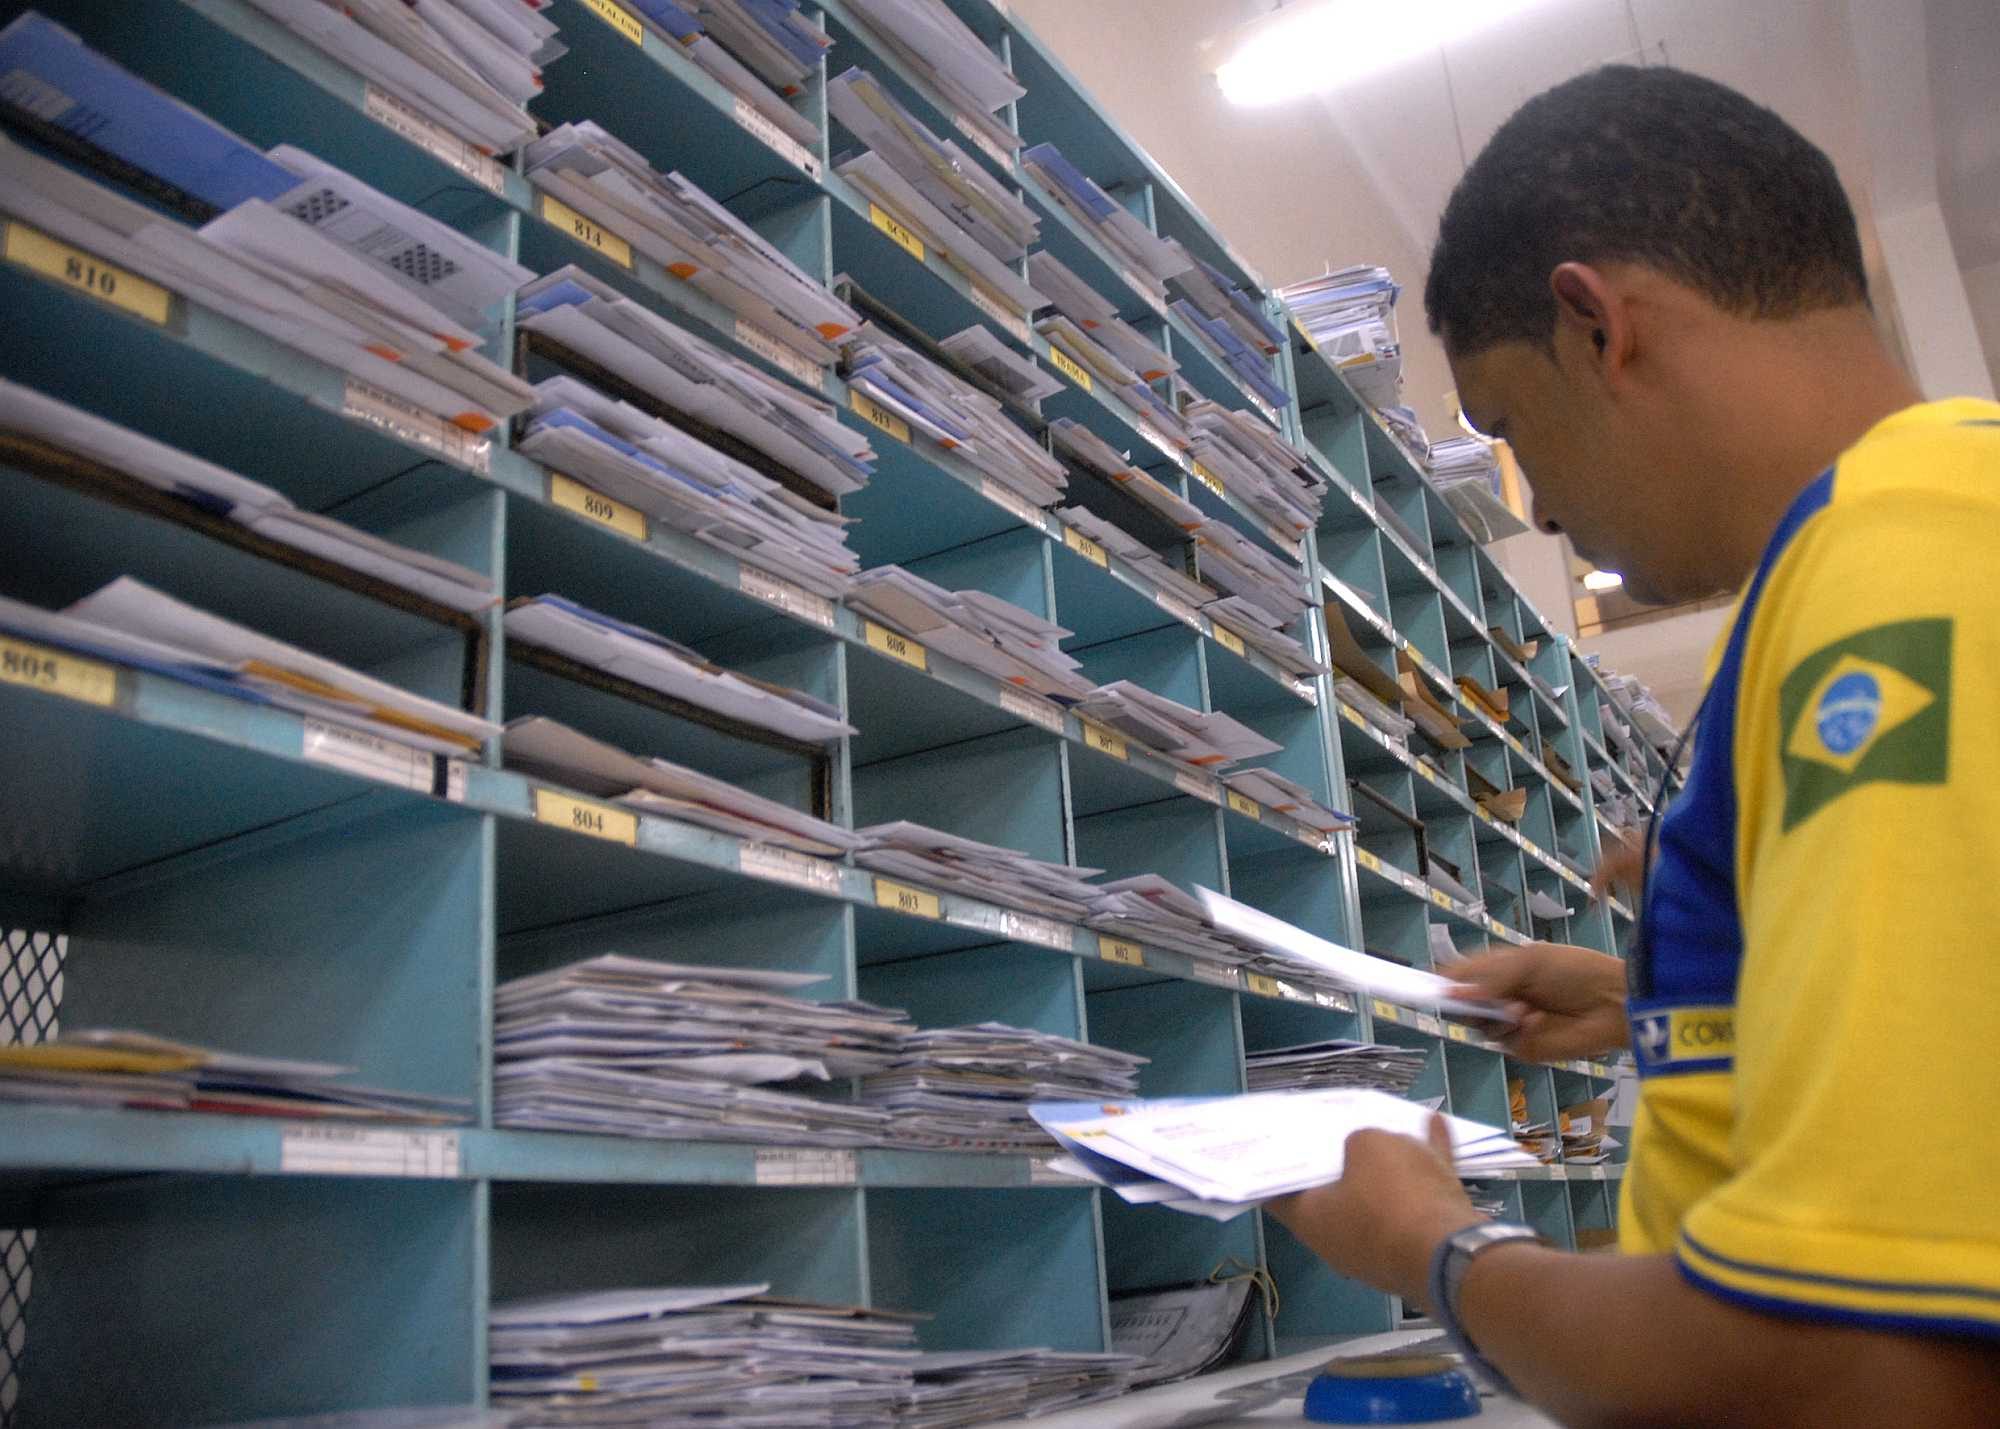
1871 707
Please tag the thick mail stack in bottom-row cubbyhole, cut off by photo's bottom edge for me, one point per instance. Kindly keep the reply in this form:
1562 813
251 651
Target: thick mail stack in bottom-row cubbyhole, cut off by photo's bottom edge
699 1356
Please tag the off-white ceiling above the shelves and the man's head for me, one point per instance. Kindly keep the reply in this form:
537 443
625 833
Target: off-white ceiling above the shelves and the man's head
1363 173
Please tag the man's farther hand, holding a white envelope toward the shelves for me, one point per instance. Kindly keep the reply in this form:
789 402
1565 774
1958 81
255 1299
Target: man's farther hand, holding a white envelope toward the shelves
1569 1002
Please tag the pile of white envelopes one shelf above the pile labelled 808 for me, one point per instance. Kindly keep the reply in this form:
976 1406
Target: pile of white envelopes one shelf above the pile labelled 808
953 413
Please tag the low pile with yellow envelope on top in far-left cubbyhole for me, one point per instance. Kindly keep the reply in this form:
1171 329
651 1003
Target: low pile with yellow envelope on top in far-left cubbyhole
151 1074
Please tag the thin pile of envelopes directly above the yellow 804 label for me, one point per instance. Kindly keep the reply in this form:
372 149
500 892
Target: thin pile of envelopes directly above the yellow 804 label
545 750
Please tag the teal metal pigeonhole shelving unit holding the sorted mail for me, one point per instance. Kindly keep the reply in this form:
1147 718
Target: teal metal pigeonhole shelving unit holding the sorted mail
193 866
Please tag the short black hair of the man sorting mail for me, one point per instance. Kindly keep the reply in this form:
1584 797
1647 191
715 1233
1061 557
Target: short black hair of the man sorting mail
1641 165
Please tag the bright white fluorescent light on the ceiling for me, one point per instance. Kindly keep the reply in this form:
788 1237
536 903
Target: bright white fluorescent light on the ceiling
1323 45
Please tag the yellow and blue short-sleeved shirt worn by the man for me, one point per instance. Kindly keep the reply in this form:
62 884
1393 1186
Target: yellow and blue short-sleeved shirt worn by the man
1817 998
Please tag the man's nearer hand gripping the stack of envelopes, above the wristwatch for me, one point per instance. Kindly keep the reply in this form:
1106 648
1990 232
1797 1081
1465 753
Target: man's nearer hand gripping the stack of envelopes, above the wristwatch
1395 1202
